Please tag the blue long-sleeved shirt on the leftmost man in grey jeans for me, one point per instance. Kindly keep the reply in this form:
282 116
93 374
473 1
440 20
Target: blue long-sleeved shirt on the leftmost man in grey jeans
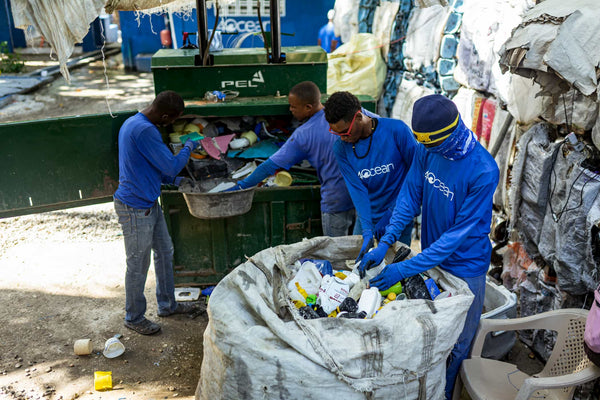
145 162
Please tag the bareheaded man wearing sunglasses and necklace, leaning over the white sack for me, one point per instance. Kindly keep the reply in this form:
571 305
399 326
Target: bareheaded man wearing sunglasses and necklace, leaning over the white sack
374 155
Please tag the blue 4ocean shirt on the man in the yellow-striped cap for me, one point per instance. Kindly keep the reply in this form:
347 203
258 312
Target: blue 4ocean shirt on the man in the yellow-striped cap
456 197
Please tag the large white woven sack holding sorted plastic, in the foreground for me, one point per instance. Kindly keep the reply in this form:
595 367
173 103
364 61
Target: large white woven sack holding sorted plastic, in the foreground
257 345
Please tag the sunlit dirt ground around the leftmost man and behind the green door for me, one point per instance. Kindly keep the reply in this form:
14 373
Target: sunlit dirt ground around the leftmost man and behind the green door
63 275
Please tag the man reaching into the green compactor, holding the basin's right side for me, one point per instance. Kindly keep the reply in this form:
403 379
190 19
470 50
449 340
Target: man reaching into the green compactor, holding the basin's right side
311 141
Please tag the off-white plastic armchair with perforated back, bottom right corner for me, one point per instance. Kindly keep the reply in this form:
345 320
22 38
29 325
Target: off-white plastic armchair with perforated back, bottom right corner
567 367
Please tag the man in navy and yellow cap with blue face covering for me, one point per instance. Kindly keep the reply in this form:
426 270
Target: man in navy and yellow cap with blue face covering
453 179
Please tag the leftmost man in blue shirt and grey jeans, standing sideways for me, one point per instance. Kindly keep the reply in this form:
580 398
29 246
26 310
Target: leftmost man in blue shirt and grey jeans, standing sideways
144 163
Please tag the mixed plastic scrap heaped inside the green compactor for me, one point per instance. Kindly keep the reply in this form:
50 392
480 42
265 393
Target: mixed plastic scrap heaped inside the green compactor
229 149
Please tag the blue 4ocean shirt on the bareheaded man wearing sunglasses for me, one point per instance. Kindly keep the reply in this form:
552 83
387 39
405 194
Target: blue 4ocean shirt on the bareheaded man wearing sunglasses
375 180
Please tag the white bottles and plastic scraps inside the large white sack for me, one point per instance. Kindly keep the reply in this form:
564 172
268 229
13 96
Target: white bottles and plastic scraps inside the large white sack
318 291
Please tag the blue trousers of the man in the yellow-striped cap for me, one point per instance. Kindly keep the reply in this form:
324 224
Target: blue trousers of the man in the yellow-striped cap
465 340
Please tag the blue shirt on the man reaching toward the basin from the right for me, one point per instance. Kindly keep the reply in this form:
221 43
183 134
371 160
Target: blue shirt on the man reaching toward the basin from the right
313 142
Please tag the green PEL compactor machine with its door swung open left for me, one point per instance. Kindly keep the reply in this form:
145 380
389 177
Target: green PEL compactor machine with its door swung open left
73 161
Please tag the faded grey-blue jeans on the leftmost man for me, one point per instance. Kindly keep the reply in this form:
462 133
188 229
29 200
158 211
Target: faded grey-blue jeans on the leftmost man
145 230
